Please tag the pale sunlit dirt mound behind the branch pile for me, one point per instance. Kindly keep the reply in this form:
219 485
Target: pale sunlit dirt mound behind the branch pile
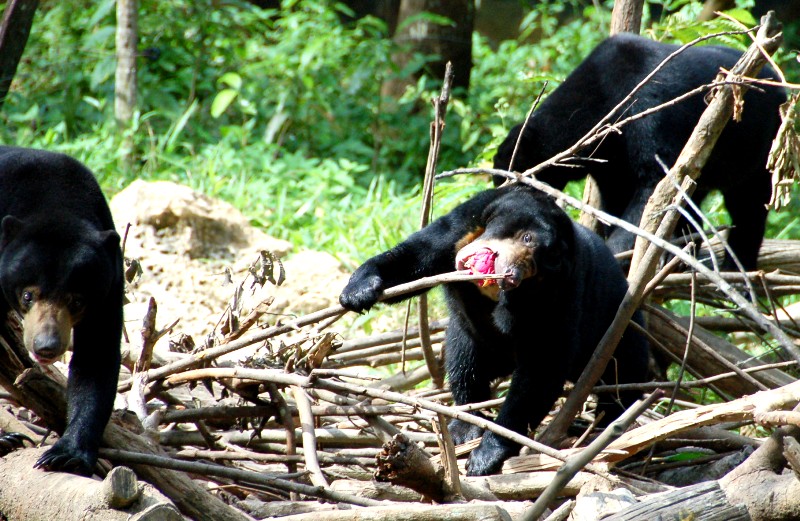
194 250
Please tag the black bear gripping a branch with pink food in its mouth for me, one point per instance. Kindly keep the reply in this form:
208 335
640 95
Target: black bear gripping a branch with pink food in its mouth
541 323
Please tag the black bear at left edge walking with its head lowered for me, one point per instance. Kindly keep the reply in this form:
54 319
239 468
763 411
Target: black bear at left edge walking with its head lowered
61 270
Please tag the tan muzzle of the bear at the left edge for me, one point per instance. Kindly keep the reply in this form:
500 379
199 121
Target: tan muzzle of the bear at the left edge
47 330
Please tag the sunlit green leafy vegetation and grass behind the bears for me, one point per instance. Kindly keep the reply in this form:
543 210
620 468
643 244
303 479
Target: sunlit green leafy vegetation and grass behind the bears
281 114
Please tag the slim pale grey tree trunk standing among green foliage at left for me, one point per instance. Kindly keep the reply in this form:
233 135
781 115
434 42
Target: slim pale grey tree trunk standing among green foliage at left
125 79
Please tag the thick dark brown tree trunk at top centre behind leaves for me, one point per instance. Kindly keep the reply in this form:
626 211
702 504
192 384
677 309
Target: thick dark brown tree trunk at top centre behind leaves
450 42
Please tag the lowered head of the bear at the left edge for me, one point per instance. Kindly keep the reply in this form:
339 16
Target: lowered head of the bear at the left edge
51 273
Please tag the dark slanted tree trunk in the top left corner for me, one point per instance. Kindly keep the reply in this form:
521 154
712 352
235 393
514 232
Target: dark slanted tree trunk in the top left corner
14 31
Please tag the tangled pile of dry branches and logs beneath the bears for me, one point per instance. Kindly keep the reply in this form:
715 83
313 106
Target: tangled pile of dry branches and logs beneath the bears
305 430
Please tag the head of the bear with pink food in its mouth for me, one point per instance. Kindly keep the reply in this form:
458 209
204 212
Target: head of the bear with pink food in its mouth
526 237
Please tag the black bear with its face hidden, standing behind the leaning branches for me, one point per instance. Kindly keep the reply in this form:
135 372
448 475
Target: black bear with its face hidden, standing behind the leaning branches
626 179
